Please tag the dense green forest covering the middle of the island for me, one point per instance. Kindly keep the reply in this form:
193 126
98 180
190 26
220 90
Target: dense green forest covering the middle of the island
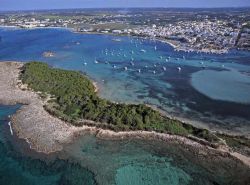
73 99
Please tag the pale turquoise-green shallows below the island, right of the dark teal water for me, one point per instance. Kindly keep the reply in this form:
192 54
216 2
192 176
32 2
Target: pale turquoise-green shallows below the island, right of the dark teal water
152 162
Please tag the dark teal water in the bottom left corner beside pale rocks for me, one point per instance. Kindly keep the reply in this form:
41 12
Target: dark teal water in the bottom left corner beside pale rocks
18 169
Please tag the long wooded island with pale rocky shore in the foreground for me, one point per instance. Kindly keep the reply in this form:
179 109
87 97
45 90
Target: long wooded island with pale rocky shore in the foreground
59 105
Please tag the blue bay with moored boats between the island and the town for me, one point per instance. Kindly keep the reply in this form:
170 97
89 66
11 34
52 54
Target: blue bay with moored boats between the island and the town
218 98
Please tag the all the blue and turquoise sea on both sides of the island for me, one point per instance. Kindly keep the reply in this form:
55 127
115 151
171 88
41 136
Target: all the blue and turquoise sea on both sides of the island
209 88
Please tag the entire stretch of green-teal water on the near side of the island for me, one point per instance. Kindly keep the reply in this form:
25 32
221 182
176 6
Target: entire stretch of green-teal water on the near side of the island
90 160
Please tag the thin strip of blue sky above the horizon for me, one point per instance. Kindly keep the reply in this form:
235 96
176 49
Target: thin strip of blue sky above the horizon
64 4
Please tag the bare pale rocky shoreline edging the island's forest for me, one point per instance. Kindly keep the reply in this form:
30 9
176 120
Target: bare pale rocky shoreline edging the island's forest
46 134
